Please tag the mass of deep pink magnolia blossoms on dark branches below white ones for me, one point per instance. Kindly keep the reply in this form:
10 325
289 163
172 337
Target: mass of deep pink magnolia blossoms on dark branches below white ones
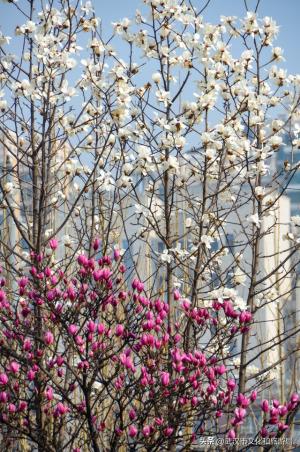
76 342
